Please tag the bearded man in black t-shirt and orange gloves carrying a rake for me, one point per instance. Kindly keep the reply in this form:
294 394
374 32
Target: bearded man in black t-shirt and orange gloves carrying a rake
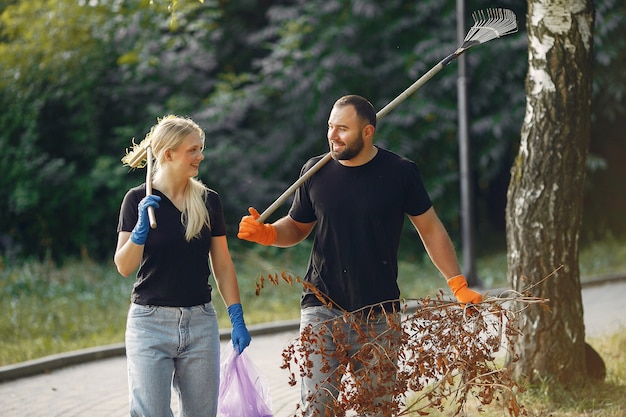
358 201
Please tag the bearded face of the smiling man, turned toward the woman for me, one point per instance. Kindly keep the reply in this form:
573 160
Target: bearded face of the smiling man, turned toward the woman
345 133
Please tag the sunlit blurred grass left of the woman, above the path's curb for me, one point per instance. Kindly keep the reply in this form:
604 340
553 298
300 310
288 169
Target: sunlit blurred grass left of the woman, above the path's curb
48 310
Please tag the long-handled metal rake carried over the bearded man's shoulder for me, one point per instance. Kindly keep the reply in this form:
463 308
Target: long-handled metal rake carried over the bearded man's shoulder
488 25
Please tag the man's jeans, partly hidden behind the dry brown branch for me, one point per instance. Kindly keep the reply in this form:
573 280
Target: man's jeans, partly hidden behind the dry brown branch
336 340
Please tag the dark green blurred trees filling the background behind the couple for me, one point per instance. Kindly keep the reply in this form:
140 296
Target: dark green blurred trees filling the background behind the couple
79 79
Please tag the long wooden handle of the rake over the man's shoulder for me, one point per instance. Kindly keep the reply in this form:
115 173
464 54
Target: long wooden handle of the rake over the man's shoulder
319 164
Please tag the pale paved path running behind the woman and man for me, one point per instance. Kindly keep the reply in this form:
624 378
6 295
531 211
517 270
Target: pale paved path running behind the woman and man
99 388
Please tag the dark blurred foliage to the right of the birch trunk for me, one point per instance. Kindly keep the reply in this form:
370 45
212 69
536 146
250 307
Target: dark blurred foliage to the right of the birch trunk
604 205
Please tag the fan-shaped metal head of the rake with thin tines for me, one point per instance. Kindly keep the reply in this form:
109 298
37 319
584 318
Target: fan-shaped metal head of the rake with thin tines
490 24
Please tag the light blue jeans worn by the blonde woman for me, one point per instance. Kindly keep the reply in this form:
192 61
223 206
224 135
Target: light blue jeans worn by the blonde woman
175 347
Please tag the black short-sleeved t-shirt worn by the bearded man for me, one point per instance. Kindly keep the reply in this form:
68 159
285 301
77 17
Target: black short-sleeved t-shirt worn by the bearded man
359 213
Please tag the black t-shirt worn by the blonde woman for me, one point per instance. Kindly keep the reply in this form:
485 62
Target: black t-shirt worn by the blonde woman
173 272
